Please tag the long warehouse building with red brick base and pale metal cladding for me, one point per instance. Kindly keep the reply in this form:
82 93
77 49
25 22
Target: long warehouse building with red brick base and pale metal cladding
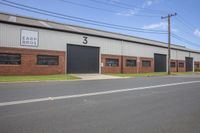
31 46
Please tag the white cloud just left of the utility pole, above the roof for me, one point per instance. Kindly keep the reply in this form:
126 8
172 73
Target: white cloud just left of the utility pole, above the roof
161 25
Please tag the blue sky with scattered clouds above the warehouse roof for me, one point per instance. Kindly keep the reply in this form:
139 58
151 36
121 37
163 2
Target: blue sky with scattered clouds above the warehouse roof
142 14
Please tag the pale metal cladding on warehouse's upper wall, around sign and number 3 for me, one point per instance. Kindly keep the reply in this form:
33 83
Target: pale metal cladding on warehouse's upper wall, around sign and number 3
55 40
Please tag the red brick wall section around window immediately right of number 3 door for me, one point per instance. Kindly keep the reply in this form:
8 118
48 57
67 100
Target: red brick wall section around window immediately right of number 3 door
109 69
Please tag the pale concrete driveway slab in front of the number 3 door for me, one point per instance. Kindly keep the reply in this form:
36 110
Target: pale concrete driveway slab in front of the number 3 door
95 76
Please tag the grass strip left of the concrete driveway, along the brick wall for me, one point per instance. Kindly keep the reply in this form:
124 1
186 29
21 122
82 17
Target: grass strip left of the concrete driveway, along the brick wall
36 78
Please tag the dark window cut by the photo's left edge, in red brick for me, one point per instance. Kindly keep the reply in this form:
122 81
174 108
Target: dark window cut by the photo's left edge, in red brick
8 58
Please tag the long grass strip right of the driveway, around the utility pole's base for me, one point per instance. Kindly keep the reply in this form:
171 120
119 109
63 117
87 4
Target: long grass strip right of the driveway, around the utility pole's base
151 74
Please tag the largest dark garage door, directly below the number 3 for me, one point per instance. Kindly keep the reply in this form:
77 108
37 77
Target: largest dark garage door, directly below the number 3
82 59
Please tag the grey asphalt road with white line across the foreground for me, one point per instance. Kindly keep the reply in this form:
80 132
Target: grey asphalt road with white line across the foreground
159 105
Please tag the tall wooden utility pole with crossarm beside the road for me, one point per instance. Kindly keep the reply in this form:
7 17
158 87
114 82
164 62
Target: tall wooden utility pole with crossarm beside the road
169 39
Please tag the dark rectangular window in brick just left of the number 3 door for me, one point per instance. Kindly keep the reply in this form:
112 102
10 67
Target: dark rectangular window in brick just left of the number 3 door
47 60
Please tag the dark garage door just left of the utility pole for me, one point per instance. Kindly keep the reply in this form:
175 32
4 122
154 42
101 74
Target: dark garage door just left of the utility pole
159 63
